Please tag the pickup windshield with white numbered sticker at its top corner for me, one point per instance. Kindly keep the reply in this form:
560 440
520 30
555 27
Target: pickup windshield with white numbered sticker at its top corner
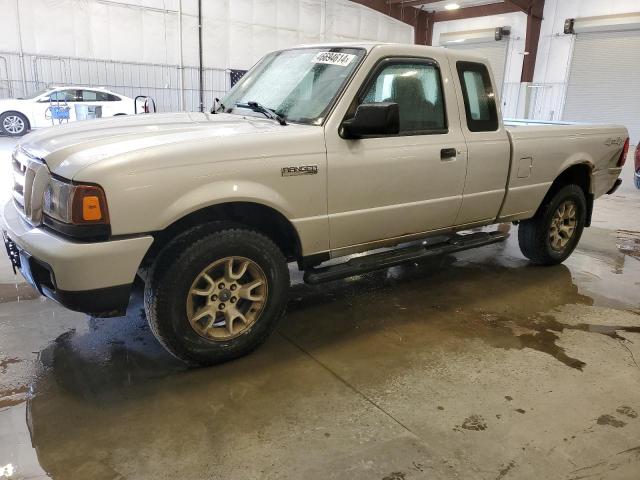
299 84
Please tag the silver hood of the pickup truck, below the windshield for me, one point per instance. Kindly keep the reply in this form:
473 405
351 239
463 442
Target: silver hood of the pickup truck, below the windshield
68 148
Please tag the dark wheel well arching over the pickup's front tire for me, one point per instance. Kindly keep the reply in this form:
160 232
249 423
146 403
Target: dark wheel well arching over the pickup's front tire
264 219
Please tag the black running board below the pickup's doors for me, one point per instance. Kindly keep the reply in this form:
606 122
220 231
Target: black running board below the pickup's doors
386 259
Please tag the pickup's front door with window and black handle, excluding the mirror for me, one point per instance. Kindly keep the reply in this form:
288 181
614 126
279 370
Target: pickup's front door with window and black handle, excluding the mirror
393 186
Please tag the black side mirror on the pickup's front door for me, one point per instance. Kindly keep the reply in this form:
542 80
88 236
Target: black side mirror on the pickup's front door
373 119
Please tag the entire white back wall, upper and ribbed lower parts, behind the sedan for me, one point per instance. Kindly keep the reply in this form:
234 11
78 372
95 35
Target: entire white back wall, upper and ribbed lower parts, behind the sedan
136 46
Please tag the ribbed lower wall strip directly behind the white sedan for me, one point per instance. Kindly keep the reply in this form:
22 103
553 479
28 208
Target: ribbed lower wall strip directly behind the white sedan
172 87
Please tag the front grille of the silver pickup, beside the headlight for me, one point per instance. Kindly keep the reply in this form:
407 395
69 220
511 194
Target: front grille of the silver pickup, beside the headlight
30 175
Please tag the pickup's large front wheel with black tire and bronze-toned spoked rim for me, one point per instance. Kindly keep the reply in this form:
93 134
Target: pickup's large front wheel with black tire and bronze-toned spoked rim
177 273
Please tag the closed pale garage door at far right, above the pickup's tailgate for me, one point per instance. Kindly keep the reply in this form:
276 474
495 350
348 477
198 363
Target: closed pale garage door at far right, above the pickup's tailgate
604 80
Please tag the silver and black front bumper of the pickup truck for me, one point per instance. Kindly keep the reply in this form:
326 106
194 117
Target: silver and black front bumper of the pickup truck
94 278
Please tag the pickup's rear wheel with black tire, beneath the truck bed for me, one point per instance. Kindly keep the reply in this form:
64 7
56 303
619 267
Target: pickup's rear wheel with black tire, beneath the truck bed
536 237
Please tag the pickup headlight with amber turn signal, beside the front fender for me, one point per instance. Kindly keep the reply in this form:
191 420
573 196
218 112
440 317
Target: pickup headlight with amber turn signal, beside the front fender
77 210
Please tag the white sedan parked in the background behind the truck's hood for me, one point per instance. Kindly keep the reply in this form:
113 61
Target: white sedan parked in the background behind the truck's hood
58 105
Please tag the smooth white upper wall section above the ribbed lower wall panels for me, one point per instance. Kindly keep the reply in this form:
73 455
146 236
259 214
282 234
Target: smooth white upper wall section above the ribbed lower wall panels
236 32
